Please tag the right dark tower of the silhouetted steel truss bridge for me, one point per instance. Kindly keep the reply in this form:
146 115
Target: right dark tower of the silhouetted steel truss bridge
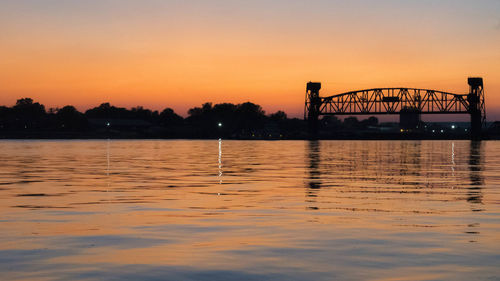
477 108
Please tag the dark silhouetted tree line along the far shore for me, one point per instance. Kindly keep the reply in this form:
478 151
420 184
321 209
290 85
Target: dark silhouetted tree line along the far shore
28 118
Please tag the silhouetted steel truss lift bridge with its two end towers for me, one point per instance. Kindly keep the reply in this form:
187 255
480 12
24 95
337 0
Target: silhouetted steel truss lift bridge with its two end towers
409 103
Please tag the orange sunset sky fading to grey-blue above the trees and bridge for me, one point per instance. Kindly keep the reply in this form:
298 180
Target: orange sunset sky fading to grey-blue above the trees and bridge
183 53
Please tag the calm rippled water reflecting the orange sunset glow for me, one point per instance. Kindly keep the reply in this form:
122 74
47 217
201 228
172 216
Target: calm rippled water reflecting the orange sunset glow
249 210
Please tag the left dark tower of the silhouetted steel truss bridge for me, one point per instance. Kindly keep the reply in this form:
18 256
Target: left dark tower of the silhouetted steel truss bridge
312 108
